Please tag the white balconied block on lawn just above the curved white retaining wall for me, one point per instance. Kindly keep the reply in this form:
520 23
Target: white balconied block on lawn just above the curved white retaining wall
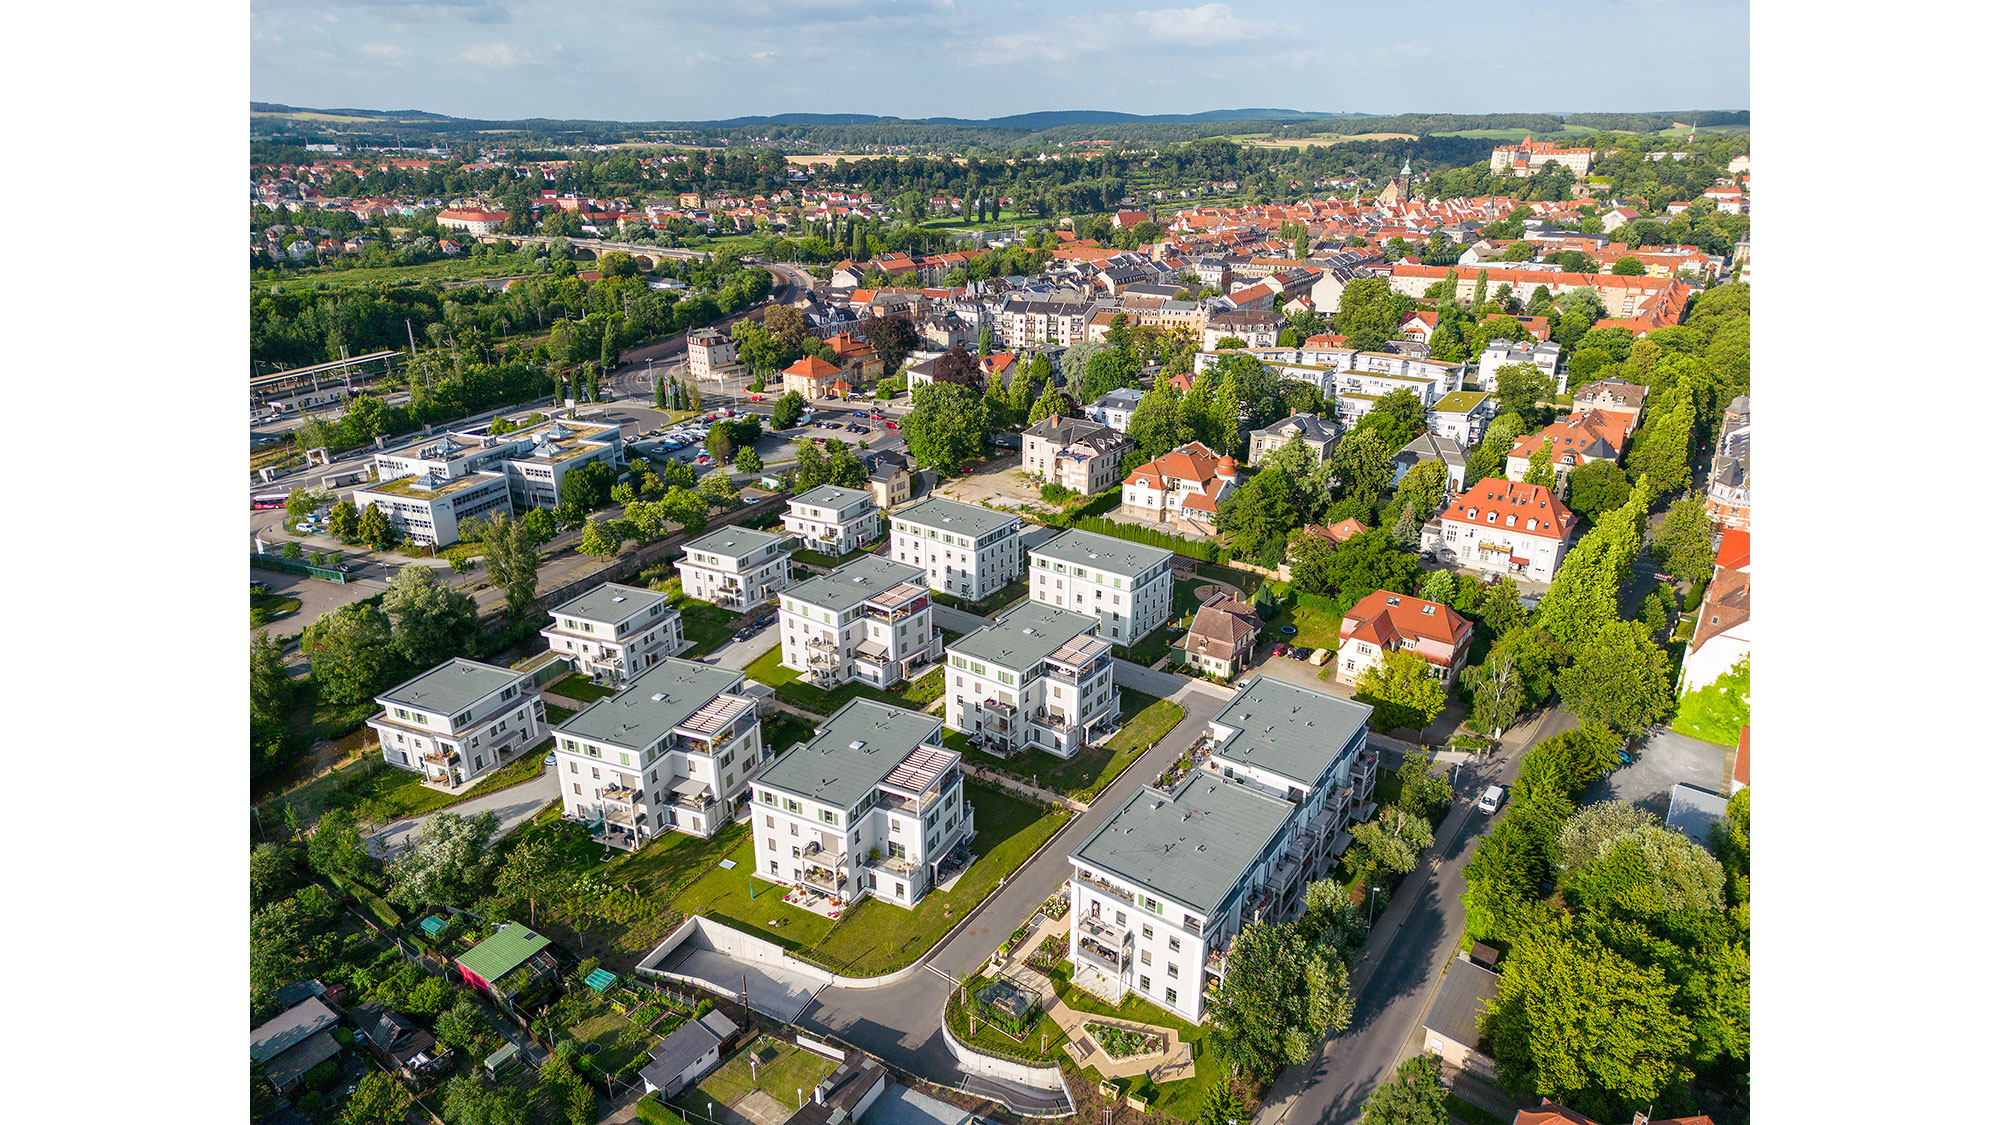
871 806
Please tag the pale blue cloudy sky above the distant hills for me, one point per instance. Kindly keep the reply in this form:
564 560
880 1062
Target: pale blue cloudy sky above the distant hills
979 59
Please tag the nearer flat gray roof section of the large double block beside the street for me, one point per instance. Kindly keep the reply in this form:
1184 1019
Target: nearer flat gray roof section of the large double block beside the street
1193 848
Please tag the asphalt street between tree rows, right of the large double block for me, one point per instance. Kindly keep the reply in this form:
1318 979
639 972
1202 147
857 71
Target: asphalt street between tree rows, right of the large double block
1407 954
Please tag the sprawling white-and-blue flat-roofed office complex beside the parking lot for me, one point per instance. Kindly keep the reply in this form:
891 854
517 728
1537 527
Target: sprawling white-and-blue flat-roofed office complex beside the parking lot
433 485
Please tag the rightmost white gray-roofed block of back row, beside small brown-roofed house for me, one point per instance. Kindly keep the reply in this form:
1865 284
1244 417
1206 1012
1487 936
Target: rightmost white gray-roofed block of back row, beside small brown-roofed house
1127 586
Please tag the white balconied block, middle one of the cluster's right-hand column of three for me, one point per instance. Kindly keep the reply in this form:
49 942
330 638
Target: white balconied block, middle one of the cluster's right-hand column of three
1035 678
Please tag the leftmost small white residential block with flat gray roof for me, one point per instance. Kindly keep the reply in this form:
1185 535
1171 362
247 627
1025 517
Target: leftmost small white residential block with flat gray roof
459 722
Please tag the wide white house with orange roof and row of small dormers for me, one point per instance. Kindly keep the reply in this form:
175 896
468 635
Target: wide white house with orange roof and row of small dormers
1503 527
